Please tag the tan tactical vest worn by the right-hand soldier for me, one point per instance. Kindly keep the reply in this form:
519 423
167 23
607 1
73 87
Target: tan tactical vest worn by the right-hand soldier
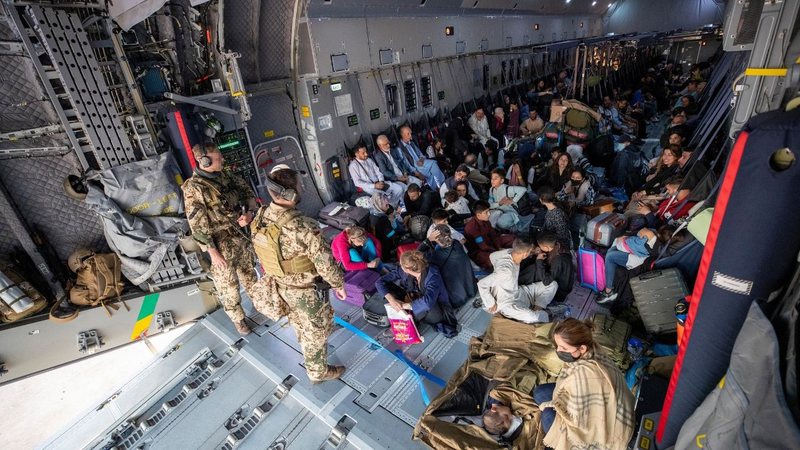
266 241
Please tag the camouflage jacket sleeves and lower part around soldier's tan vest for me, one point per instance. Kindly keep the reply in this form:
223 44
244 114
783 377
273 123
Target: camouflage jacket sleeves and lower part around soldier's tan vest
301 236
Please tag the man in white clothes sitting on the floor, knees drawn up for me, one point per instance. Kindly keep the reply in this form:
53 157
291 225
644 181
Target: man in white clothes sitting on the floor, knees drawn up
500 292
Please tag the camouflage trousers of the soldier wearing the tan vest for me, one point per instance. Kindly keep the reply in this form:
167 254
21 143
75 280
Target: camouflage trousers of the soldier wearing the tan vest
313 322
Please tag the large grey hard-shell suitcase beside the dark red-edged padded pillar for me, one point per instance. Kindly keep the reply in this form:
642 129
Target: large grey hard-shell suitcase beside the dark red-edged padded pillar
656 294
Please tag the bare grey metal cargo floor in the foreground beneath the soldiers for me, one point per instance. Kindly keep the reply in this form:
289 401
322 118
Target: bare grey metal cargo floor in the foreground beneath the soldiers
213 389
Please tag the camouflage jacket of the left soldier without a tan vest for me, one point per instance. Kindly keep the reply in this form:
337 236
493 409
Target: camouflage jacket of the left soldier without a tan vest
212 205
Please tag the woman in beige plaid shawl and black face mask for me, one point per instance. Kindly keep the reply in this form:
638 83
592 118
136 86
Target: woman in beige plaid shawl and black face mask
590 405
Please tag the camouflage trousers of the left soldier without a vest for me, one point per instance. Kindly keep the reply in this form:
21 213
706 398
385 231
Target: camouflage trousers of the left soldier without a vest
236 251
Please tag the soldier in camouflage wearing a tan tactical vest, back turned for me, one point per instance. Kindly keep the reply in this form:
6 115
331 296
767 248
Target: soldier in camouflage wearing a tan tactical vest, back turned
294 256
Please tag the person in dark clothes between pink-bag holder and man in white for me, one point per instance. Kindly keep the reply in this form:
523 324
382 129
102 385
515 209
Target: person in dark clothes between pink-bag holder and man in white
449 256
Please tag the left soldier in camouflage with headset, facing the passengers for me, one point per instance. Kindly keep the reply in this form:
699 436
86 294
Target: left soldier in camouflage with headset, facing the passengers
218 206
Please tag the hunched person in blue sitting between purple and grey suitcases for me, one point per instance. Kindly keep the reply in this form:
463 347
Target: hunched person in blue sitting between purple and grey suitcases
628 252
